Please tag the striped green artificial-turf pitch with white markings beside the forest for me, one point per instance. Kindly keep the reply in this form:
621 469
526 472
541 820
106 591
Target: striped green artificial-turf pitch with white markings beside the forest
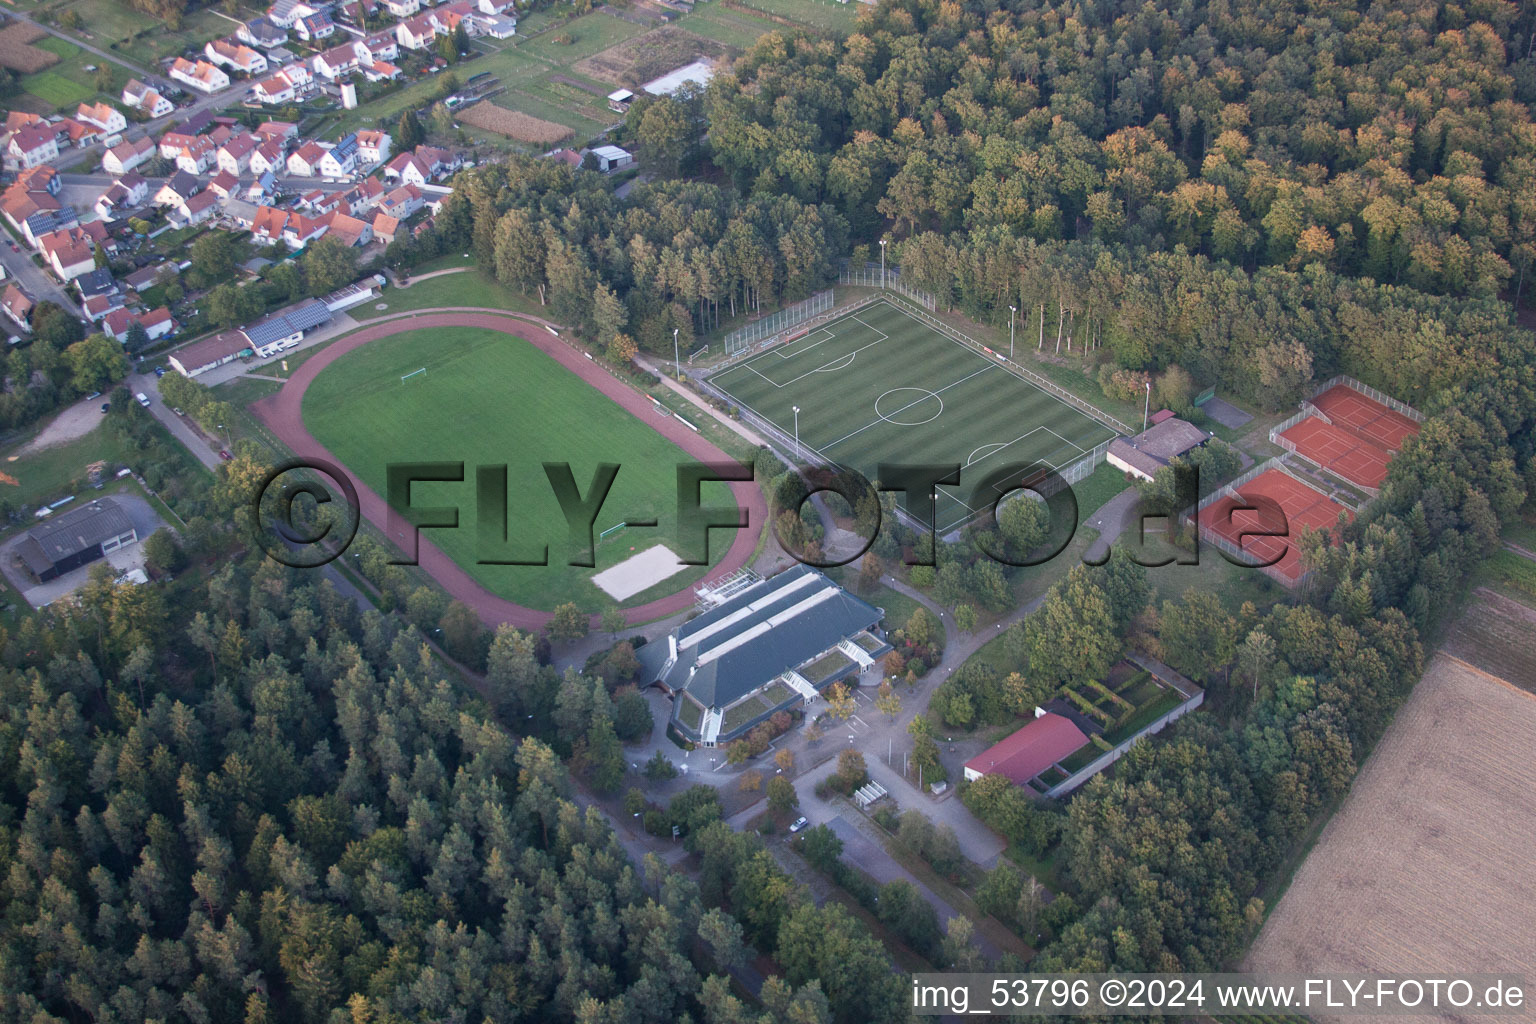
879 386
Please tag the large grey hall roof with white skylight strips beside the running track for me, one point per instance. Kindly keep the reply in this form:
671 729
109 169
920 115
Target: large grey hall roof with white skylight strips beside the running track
764 632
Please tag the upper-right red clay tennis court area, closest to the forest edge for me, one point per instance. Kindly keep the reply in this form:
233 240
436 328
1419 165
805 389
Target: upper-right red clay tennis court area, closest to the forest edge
1362 440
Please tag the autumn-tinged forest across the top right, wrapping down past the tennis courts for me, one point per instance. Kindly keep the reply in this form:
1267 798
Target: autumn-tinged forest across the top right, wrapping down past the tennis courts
1262 194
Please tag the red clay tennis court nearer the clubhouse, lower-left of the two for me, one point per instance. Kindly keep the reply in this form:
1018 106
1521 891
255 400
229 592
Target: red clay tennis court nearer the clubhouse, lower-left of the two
1303 507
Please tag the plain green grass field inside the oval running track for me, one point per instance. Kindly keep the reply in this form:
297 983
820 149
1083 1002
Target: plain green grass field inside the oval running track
489 398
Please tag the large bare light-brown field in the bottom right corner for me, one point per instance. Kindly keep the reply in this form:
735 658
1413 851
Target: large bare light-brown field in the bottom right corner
1428 864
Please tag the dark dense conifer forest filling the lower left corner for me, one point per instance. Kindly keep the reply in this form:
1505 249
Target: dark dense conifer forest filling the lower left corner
240 798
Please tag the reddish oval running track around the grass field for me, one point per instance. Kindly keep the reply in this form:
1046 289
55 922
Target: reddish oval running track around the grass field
283 417
